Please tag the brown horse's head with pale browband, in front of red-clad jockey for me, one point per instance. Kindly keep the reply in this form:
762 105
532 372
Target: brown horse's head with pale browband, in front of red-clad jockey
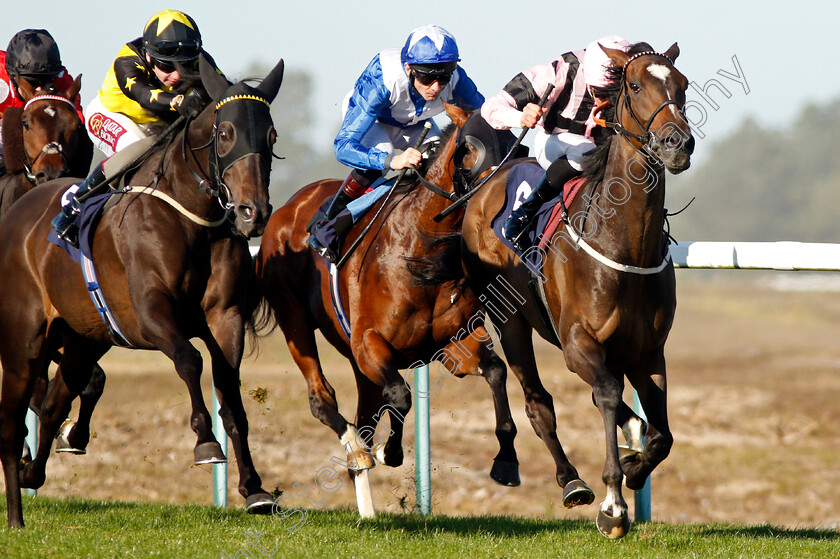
51 133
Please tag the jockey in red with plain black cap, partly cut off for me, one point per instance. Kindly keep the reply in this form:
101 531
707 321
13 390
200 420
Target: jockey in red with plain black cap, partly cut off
32 55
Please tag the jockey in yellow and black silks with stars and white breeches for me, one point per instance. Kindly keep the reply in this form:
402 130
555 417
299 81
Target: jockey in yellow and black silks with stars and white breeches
152 81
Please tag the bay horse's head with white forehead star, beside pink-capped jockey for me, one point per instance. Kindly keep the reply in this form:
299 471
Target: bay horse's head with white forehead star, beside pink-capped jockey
652 108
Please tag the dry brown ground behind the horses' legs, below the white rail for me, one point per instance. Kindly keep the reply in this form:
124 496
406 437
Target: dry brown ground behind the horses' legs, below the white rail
754 380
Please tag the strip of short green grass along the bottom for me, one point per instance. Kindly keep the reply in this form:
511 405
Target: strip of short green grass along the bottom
84 528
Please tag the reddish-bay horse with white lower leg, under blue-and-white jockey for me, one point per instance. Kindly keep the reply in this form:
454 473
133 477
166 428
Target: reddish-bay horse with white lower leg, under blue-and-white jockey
395 319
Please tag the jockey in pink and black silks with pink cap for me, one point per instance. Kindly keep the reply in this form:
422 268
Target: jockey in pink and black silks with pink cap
564 124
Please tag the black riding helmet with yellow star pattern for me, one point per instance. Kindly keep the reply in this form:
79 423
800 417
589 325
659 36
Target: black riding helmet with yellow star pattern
172 36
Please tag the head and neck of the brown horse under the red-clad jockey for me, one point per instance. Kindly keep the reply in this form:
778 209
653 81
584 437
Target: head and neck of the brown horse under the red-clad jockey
43 140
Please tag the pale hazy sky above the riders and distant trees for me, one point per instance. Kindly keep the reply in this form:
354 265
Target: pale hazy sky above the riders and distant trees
763 60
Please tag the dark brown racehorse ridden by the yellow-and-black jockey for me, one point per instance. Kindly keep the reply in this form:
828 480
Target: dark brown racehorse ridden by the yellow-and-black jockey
173 264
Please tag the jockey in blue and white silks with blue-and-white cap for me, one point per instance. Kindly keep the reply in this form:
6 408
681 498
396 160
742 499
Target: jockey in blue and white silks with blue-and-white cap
387 109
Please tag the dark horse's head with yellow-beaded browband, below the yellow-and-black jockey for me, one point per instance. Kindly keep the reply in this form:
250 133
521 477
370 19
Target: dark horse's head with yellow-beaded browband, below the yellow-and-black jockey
241 146
